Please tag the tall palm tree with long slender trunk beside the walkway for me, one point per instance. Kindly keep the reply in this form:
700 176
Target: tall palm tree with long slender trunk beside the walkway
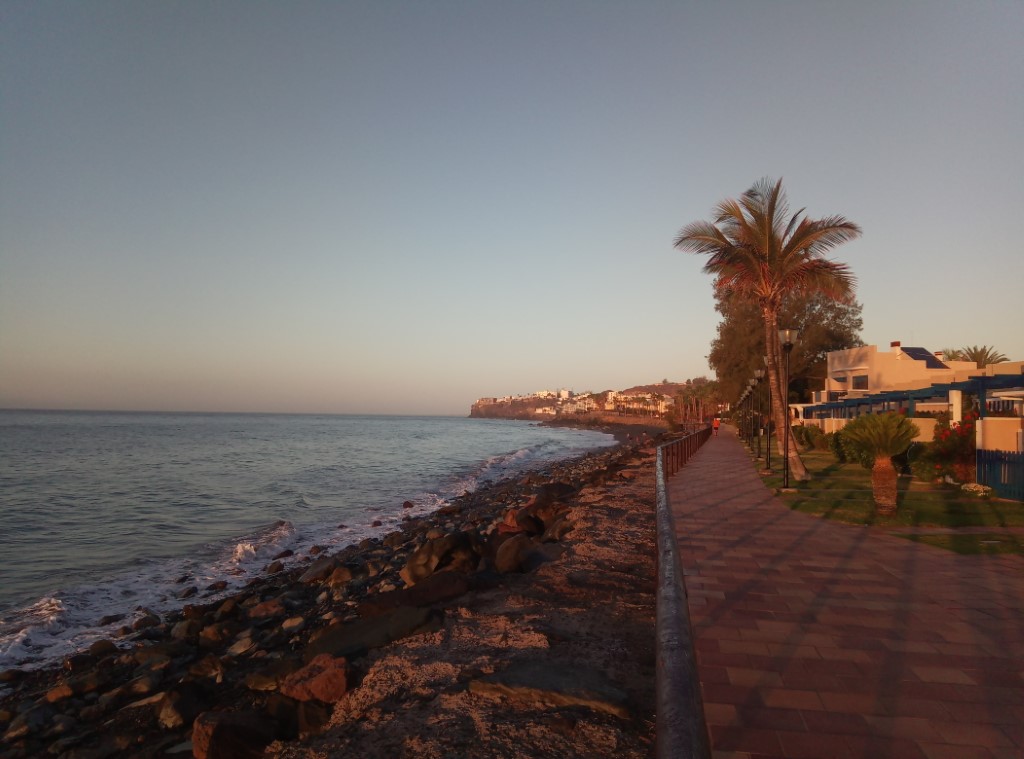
761 255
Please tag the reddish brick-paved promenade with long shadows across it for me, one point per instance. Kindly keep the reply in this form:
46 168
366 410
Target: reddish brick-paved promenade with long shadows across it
825 641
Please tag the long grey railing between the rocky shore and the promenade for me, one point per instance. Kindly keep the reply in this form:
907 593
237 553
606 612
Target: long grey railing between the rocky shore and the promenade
680 729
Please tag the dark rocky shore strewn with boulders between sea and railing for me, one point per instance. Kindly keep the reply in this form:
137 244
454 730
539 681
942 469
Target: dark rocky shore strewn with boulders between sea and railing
517 622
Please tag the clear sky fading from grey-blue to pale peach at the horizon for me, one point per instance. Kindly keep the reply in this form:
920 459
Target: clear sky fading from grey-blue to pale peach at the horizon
400 207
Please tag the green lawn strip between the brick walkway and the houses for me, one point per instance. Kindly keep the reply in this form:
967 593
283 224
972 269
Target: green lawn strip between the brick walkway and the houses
843 493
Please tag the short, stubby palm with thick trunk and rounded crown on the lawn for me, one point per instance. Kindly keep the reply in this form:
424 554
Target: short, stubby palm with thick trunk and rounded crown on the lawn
882 437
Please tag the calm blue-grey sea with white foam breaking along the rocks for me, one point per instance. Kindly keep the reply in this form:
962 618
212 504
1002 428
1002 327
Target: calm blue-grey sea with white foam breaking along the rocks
107 514
